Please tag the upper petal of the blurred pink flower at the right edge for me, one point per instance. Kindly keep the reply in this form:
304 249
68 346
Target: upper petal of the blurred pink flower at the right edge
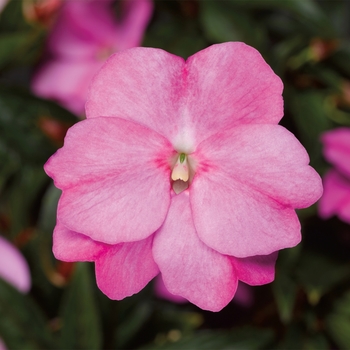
337 148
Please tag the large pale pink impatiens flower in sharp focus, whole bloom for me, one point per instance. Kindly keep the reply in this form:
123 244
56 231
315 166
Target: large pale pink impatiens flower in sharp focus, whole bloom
181 169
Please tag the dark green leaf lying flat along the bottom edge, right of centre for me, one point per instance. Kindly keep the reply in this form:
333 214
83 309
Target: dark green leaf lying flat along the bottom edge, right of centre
240 338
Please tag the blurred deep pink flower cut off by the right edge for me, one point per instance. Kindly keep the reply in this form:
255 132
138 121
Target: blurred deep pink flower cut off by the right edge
336 196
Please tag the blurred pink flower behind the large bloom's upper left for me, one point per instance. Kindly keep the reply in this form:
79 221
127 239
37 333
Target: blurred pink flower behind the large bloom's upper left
85 34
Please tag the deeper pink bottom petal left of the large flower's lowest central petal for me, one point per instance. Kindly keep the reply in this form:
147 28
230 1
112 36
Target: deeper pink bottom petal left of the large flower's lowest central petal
126 268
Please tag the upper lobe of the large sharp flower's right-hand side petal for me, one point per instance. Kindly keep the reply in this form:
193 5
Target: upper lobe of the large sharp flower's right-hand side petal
268 158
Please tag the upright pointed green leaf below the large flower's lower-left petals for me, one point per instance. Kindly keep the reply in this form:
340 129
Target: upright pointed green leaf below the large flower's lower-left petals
81 326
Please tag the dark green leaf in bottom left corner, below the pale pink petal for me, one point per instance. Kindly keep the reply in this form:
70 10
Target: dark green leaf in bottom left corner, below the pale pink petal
22 325
